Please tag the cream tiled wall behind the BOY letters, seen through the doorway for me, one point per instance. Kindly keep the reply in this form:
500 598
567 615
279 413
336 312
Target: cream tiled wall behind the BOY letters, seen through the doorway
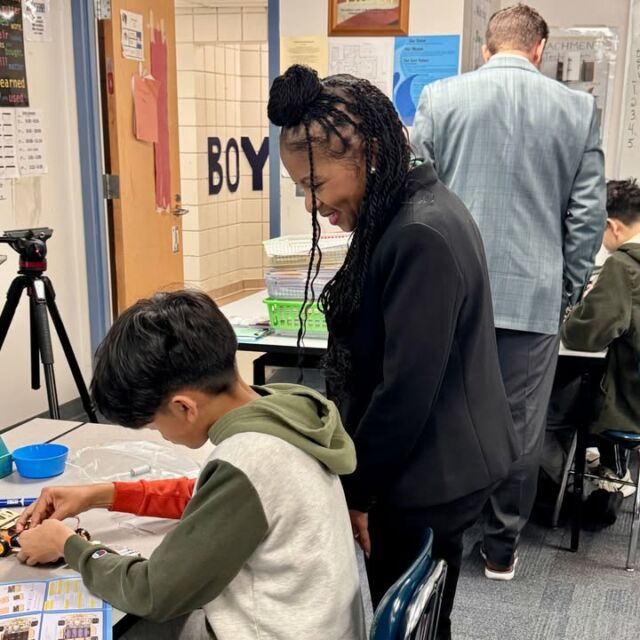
222 90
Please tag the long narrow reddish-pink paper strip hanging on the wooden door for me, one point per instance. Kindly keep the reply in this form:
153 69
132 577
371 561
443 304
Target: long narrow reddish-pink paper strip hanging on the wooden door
161 148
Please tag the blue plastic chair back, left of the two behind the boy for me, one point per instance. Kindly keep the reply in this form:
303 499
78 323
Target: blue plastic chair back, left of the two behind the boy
389 616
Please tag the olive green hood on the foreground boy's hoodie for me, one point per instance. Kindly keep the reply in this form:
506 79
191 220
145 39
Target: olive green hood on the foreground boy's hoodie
298 415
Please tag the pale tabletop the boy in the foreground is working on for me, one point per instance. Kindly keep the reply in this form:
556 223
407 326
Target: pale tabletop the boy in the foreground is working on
106 526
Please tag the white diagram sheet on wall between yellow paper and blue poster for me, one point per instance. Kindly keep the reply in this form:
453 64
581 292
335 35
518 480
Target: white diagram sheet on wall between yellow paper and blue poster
369 58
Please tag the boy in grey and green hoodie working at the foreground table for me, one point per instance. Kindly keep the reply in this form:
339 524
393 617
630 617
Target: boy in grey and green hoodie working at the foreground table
264 545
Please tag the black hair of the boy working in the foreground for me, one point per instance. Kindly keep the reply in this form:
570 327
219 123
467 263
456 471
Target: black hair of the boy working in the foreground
160 345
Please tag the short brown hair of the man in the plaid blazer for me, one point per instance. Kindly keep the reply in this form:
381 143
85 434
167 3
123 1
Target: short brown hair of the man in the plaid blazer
517 28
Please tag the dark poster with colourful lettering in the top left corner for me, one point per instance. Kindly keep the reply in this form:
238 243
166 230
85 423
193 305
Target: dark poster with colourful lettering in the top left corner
13 71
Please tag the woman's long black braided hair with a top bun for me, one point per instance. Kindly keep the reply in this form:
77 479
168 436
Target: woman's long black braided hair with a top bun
333 114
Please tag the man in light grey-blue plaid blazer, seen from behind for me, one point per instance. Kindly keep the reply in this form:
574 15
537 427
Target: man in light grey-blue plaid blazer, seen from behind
523 153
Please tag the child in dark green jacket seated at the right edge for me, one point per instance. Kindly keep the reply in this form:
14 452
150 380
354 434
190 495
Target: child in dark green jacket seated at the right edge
609 318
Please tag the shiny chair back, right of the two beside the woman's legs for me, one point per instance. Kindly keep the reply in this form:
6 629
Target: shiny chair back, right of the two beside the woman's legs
423 612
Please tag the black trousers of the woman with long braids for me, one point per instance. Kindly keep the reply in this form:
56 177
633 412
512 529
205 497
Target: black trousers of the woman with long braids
397 536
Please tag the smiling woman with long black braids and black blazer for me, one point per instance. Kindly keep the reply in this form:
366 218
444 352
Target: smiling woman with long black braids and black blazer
412 359
